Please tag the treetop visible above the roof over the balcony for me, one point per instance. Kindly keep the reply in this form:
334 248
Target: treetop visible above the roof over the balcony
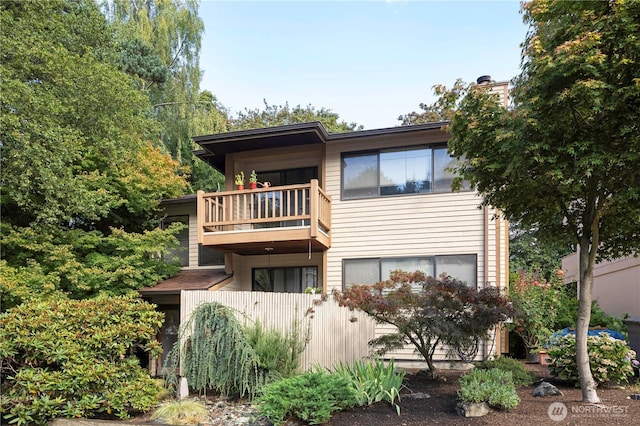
279 115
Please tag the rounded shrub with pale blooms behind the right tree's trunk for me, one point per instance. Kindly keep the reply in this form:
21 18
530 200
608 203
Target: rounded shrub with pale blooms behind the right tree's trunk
609 358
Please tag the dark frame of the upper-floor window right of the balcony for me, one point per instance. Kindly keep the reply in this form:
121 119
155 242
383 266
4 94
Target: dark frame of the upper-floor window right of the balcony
377 152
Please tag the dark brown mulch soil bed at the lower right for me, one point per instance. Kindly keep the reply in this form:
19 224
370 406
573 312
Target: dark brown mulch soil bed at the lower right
616 408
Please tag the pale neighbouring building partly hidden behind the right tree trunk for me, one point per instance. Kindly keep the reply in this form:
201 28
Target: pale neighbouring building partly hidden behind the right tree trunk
616 283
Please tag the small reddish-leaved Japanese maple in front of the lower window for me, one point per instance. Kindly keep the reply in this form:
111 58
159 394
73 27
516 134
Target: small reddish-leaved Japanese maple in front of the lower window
428 312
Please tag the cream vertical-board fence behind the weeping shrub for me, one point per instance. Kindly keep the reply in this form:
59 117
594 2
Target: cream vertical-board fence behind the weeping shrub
337 335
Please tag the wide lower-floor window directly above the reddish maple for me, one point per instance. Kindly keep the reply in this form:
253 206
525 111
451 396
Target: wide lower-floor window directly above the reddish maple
372 270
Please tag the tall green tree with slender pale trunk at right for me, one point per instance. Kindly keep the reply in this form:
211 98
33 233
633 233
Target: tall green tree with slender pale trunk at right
565 159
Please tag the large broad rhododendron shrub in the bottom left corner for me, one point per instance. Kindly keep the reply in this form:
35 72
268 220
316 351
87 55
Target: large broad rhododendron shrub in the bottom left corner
75 358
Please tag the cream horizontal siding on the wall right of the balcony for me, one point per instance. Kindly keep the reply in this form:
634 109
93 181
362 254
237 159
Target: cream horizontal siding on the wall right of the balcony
413 225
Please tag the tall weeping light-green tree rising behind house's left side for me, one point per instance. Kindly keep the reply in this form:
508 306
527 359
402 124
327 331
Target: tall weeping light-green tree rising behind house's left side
160 42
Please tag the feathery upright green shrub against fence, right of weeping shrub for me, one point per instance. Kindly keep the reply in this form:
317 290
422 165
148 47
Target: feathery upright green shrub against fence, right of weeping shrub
278 353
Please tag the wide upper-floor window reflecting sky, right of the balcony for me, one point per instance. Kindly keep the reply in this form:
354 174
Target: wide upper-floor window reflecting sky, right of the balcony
399 171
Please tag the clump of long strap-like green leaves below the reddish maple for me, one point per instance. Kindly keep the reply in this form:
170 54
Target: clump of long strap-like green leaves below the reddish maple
372 381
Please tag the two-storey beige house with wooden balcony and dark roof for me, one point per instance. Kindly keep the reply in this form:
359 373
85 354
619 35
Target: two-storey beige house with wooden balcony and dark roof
331 210
